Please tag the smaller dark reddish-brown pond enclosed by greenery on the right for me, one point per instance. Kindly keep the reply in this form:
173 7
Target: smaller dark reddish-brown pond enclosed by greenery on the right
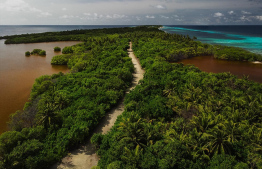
209 64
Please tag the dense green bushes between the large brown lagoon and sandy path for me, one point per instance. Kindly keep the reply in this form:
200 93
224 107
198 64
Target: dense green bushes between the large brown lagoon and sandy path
64 108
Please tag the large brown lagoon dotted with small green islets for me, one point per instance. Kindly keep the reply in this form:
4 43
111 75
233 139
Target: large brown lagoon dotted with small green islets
18 72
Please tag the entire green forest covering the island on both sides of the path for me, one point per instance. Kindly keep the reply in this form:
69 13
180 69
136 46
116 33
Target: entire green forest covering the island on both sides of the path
178 117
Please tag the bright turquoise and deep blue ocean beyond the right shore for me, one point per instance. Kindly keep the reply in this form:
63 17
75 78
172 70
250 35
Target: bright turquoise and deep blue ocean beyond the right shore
247 37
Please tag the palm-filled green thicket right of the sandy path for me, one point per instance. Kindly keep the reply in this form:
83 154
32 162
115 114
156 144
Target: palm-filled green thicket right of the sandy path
181 117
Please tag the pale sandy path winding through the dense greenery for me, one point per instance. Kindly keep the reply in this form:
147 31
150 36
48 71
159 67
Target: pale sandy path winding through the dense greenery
85 157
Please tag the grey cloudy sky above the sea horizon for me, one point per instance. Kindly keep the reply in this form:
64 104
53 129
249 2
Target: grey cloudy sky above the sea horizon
130 12
